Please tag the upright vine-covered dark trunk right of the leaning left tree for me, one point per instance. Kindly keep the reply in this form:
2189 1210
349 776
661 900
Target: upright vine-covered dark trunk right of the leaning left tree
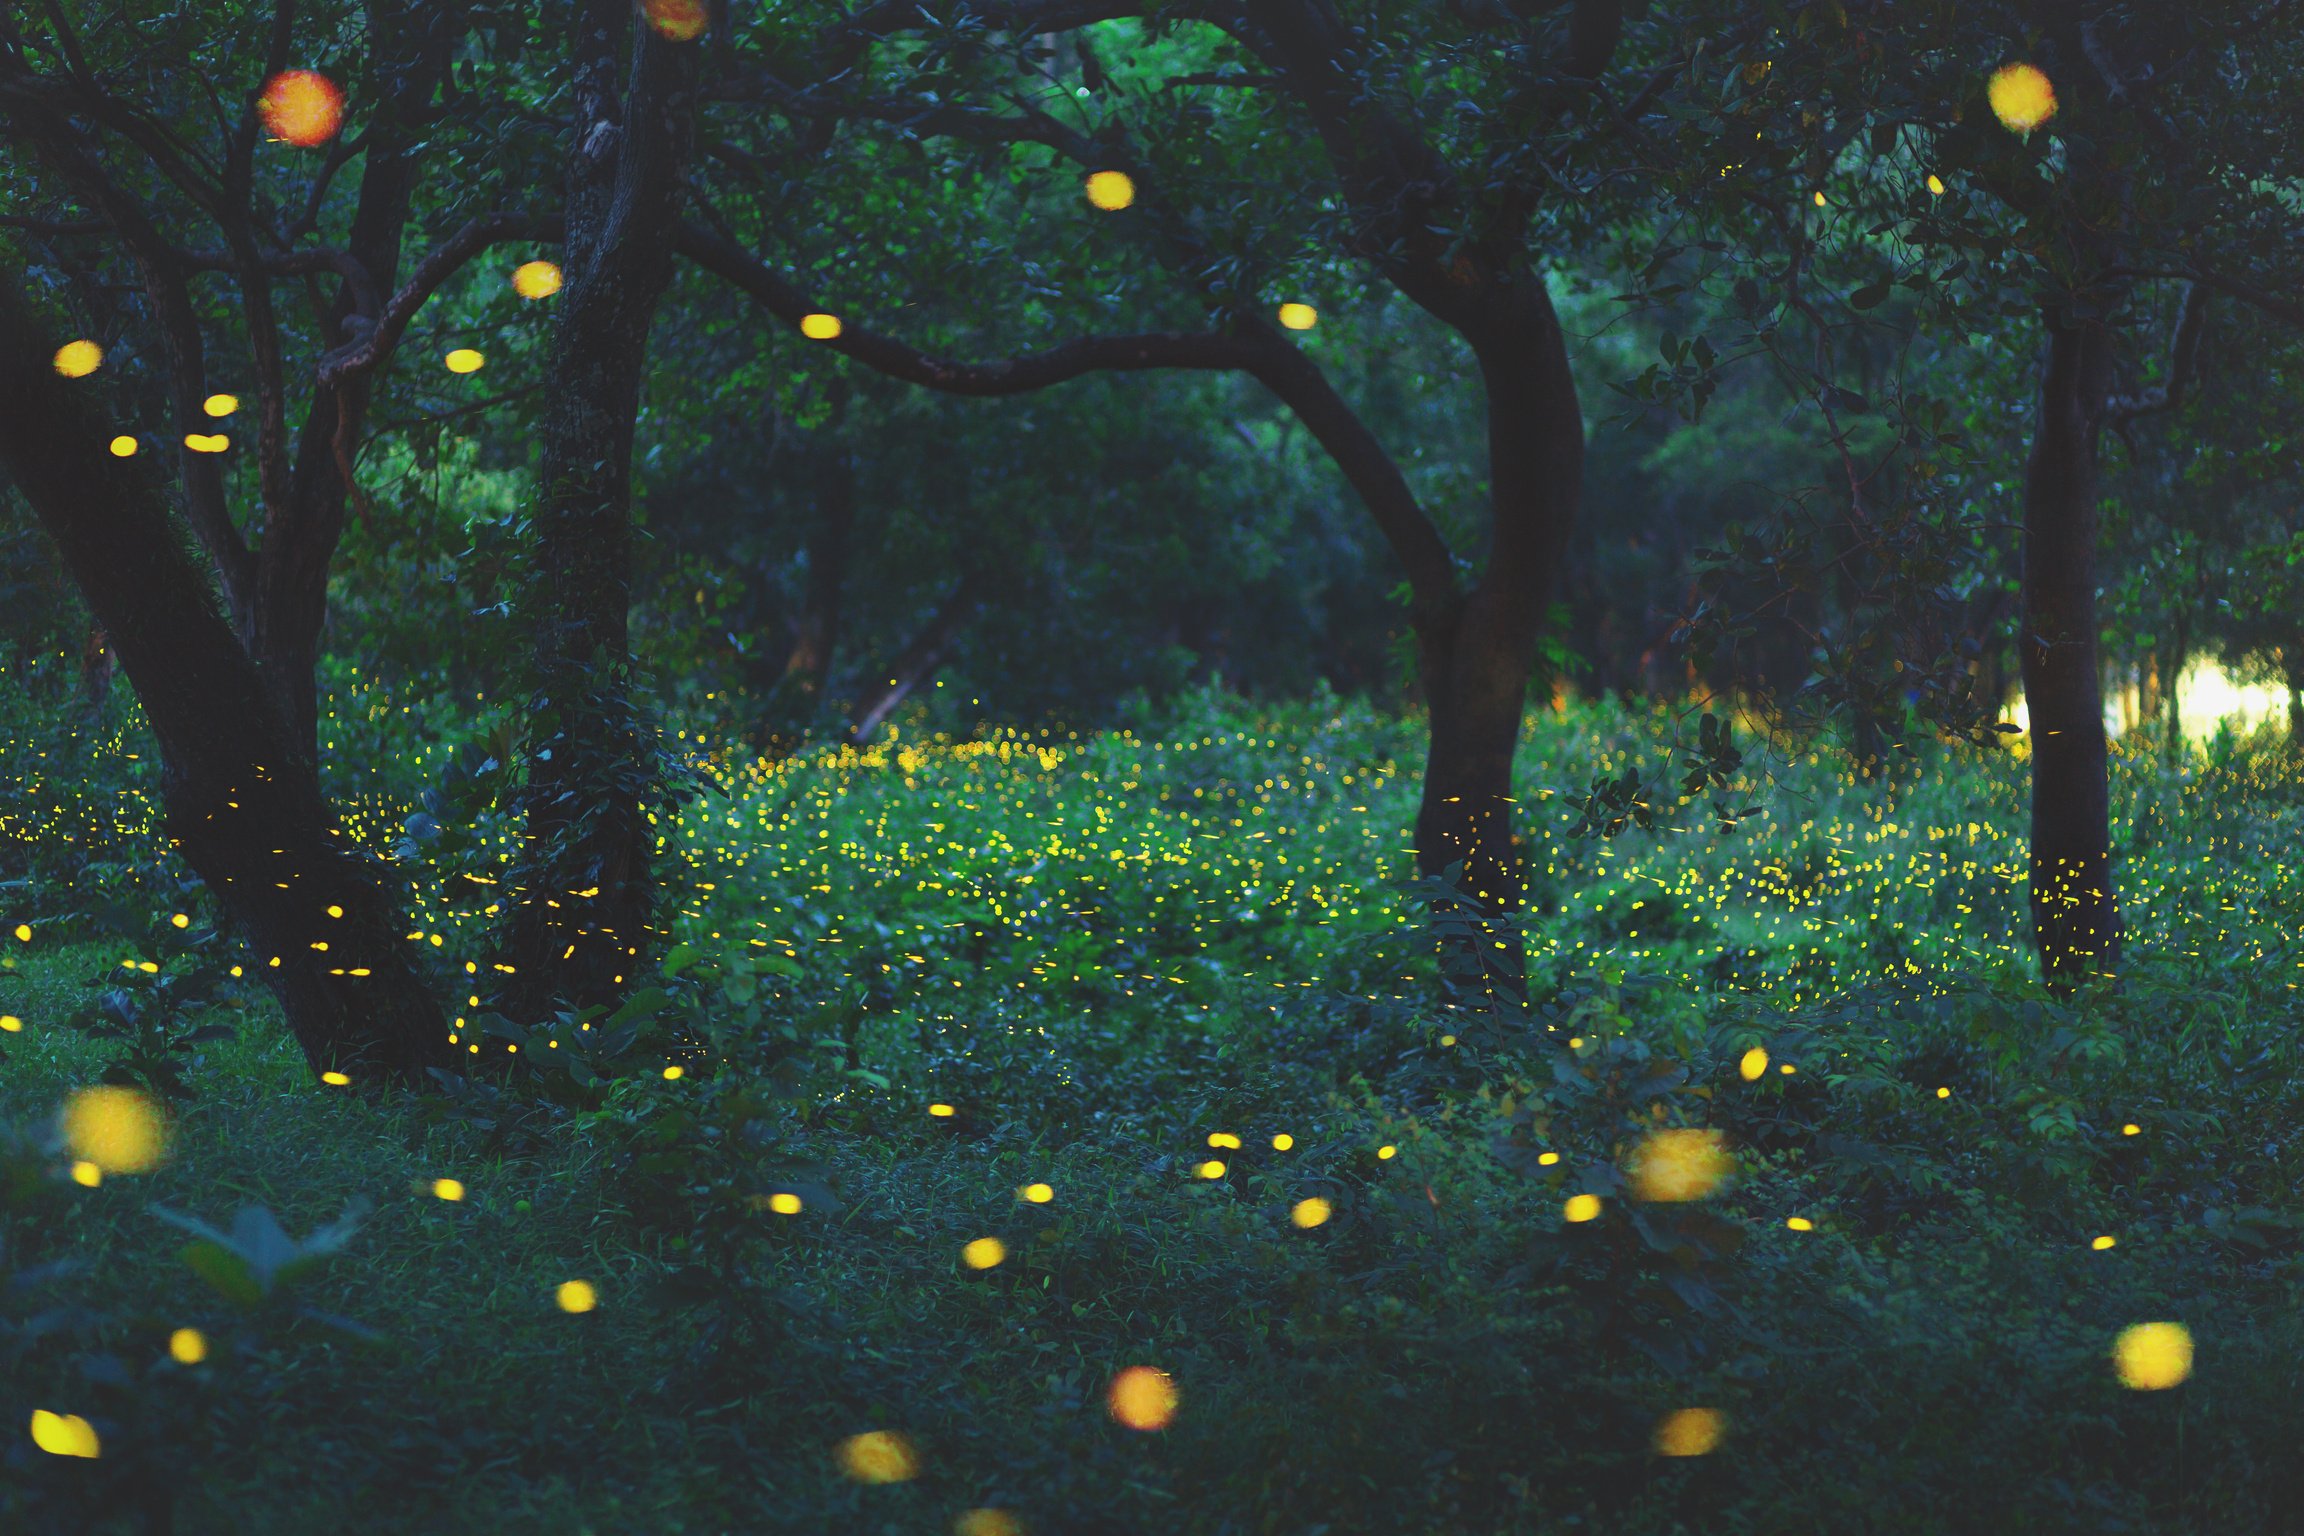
584 892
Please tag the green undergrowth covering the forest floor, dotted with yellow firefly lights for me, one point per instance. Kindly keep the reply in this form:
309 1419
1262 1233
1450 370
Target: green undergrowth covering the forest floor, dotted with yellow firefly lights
1178 982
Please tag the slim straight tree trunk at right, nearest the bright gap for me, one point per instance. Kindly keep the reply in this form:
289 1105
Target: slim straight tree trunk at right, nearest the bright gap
2075 911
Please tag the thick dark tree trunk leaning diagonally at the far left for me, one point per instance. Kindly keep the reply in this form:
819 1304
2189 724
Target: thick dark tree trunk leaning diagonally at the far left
238 800
